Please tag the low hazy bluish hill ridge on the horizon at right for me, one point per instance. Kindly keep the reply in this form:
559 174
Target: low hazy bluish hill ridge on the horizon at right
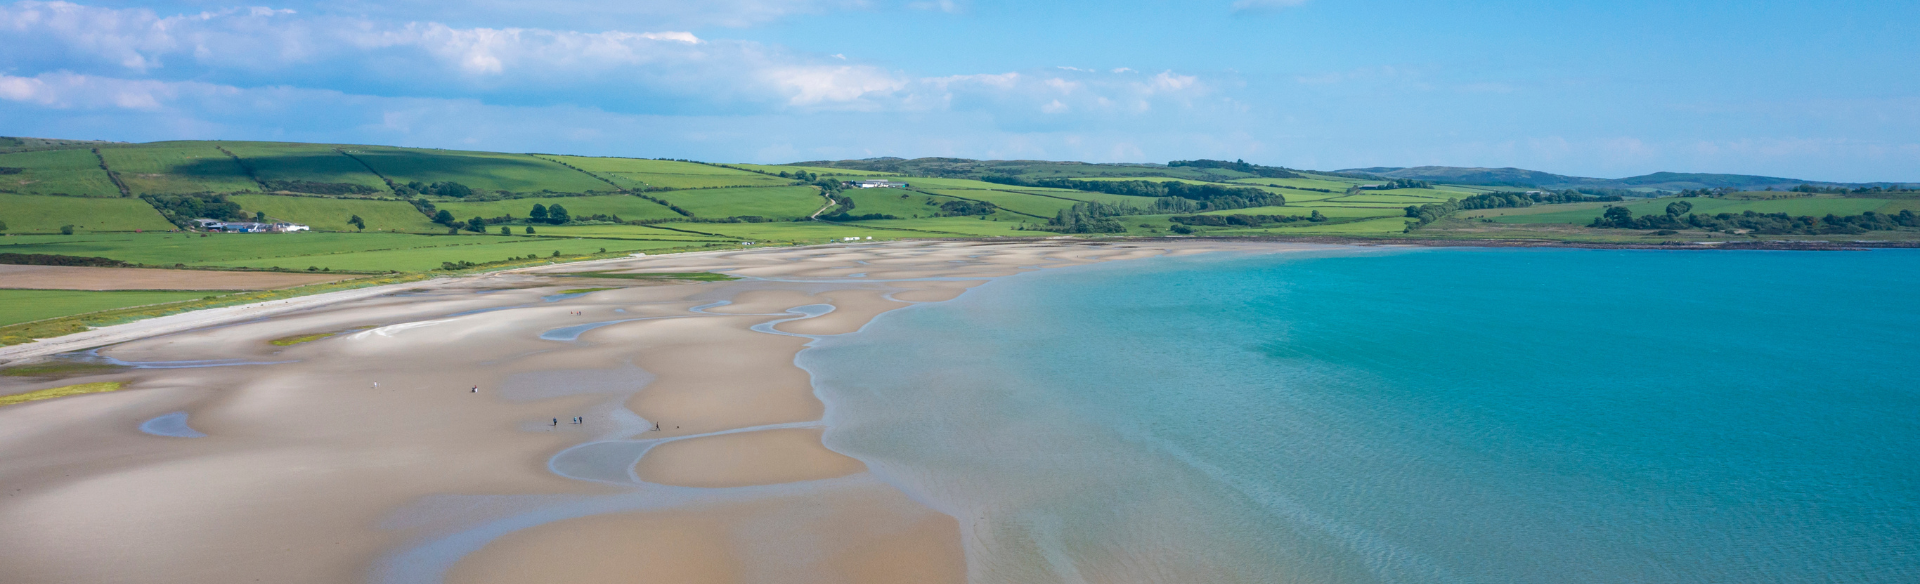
1537 180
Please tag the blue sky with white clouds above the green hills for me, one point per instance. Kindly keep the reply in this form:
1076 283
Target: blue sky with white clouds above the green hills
1600 89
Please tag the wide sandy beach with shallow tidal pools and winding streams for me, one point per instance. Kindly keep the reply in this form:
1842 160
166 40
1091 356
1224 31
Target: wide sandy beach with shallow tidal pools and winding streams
433 435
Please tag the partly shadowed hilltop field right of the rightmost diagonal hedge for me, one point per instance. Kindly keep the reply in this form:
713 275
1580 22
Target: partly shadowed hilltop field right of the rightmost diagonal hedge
477 170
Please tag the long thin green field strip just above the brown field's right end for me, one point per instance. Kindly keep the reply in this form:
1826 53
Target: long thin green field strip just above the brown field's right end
469 249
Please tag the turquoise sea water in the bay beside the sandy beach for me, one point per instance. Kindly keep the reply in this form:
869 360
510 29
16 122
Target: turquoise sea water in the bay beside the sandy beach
1408 416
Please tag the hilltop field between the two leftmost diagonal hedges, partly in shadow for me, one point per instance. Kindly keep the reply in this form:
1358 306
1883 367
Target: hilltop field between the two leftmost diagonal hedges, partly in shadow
176 168
